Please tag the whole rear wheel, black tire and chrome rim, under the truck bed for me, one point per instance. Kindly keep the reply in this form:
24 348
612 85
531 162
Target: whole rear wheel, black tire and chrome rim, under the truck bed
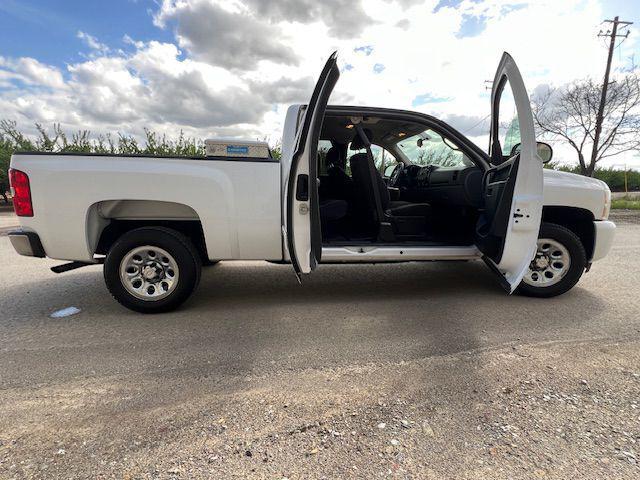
152 269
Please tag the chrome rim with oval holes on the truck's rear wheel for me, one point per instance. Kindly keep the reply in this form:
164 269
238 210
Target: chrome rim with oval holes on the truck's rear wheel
149 273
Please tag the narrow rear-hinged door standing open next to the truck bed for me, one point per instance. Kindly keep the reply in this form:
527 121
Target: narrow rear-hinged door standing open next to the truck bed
302 231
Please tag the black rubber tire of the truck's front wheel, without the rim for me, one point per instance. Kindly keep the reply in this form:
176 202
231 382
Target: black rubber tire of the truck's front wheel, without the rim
578 257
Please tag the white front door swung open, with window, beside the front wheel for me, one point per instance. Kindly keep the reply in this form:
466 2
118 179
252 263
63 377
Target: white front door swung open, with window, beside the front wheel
508 227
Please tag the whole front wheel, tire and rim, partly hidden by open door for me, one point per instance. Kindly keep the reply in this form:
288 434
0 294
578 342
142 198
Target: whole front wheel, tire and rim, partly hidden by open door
558 265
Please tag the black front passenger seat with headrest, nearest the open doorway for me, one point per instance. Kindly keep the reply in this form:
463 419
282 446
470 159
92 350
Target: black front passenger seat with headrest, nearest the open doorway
365 196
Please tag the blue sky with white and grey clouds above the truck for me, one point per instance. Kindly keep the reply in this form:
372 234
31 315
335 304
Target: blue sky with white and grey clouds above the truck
231 67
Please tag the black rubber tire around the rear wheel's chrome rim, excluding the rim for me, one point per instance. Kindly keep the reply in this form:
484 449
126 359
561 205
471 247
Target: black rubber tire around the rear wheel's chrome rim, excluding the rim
174 243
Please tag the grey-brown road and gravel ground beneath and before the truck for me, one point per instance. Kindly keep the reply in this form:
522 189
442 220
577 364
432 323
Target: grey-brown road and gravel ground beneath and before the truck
259 377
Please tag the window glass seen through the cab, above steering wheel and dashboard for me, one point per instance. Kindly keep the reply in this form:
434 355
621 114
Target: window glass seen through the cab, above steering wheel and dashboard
430 148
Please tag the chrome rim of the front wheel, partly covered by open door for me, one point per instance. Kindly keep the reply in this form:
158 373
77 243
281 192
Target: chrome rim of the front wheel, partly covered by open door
550 265
